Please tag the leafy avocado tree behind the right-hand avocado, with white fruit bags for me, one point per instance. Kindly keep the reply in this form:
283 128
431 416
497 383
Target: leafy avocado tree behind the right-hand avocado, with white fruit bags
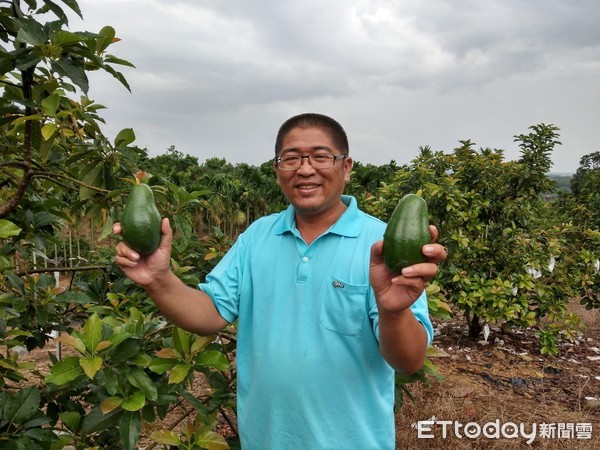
508 264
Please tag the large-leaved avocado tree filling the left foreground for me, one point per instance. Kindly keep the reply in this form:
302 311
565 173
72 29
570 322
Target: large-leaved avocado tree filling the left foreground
128 365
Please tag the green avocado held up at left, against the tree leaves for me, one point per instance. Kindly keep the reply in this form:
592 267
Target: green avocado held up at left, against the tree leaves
140 221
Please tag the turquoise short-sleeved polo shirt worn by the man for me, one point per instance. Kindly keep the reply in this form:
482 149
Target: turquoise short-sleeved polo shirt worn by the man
310 373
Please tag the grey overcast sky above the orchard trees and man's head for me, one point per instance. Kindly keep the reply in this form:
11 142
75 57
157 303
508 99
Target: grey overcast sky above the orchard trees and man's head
218 77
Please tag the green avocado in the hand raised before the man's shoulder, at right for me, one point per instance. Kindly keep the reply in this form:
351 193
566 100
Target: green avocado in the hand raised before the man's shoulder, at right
406 233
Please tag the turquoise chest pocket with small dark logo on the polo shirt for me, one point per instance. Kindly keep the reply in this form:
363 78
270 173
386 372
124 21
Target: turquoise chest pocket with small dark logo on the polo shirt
343 306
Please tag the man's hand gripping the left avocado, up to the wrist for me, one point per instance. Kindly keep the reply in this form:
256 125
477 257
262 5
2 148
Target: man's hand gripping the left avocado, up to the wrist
145 269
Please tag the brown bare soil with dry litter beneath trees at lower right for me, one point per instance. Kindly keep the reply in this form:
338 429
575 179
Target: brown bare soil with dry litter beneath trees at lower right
507 381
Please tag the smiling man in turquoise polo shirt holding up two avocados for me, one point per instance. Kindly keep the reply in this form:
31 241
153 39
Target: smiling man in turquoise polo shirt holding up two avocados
322 322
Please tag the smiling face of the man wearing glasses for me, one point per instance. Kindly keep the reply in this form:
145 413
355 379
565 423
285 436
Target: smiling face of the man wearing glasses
312 191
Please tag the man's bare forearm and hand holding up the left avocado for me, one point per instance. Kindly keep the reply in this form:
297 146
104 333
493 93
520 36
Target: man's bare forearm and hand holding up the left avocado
187 307
